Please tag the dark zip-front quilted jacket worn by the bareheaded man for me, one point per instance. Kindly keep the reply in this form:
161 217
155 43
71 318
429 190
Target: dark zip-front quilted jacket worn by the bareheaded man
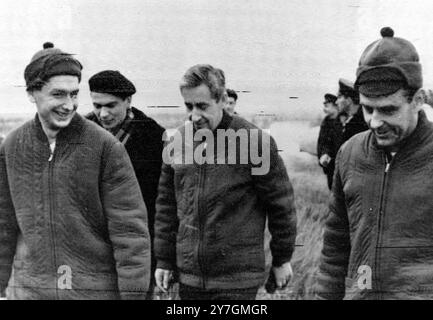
210 218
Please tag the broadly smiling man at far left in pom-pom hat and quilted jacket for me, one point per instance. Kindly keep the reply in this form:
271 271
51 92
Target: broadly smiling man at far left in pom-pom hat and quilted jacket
73 224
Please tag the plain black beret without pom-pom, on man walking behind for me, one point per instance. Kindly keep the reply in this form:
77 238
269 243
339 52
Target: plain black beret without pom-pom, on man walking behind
111 82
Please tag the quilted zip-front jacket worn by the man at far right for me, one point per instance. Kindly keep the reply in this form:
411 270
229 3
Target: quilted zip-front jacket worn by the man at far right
378 241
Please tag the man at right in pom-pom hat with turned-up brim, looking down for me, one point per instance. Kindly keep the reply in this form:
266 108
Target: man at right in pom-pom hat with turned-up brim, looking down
378 240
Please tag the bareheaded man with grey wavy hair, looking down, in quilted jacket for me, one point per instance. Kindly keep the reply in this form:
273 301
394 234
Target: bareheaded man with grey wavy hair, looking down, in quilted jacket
210 218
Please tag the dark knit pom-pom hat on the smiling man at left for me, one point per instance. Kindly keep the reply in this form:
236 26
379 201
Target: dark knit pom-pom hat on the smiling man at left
48 63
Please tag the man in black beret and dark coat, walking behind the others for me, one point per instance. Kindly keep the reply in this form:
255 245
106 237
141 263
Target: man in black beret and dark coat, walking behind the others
111 94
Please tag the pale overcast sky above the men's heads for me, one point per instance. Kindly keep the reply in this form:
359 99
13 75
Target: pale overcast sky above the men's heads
274 48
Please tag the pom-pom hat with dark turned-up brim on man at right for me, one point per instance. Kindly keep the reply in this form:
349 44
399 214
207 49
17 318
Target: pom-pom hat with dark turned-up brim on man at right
388 65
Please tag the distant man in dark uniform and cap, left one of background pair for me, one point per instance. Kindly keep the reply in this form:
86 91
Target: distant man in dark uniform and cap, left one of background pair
326 147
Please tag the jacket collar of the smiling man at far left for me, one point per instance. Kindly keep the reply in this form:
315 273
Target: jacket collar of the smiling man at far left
71 134
